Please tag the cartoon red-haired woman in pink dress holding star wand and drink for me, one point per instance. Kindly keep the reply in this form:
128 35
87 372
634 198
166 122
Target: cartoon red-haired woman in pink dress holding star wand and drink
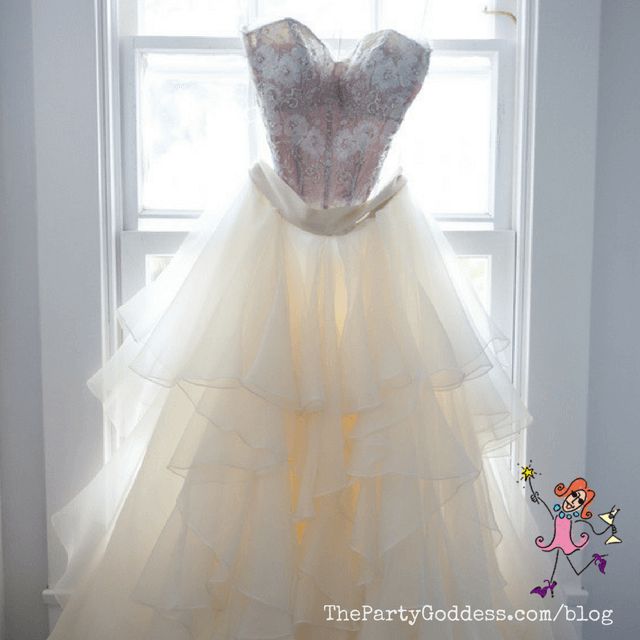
570 510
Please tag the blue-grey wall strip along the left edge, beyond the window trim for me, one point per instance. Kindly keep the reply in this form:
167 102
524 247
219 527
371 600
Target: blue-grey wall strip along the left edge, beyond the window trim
21 444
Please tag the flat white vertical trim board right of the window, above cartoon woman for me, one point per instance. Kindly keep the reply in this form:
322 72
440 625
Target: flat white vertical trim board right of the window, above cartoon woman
562 235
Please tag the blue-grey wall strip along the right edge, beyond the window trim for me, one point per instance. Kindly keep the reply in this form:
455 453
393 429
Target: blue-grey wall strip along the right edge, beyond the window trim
614 410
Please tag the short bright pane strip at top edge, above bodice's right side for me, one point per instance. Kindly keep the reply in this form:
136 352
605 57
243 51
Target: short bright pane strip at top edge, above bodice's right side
441 19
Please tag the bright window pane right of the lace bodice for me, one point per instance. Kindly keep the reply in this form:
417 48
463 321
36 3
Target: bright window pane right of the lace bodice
445 141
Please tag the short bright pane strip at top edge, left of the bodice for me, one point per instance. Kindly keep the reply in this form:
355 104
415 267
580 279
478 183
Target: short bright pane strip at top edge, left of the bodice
189 17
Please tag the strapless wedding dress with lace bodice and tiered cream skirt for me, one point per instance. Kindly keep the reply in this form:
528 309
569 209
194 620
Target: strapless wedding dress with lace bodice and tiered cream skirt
311 400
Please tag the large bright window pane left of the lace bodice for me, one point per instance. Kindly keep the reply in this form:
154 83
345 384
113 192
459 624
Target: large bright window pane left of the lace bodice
193 131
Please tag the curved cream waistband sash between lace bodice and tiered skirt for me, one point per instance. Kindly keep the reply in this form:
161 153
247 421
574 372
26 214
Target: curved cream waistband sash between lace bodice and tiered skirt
327 222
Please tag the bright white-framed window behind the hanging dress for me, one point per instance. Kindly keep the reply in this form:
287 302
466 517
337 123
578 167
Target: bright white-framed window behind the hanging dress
185 94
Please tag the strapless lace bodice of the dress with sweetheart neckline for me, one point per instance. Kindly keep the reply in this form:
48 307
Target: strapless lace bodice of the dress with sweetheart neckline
330 123
